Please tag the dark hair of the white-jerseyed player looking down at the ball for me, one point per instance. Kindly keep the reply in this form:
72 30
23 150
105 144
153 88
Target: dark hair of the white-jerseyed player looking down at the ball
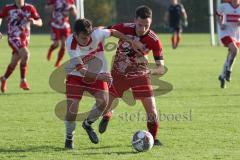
82 25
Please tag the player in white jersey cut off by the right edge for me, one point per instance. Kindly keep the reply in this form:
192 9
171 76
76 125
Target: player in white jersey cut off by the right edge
228 17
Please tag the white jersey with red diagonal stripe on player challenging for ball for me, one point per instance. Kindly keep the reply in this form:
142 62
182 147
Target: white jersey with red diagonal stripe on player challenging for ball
91 56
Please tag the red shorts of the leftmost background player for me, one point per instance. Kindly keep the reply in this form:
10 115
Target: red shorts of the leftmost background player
17 43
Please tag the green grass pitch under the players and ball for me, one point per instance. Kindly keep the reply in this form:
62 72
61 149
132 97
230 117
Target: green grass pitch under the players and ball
206 118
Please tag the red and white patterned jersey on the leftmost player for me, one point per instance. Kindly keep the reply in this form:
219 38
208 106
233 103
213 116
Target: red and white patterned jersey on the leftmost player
18 19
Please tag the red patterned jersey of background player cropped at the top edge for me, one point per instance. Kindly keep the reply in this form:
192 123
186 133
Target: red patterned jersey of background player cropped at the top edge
60 17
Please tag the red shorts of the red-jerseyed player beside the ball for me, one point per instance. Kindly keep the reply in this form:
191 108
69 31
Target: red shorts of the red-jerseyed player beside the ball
140 86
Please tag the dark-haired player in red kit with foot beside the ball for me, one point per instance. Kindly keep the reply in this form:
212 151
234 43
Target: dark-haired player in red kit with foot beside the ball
129 69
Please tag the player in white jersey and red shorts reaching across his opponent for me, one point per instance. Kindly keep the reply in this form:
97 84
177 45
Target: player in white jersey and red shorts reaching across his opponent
87 71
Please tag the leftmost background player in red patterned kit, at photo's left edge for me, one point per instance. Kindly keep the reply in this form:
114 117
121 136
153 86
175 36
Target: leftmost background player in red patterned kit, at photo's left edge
19 17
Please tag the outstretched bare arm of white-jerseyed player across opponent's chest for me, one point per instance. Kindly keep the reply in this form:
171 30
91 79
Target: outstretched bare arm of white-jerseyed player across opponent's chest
136 45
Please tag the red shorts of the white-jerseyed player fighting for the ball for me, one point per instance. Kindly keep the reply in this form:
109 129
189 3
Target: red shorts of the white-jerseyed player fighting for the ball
76 85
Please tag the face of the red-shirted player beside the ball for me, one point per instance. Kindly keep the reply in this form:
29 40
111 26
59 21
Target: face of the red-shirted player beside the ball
142 25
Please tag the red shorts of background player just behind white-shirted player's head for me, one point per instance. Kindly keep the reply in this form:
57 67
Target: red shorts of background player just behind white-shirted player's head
58 34
